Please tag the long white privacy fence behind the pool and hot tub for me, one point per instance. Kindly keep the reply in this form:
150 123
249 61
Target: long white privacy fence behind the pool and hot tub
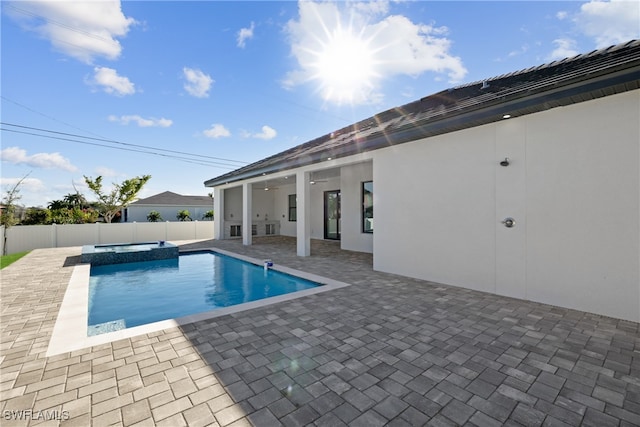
27 237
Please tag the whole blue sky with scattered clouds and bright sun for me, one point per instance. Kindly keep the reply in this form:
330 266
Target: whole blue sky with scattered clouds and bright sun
187 91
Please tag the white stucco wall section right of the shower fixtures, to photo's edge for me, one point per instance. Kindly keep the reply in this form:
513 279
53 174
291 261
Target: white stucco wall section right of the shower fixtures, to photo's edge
583 220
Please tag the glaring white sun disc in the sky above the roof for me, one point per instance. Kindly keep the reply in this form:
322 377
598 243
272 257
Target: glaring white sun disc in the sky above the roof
345 67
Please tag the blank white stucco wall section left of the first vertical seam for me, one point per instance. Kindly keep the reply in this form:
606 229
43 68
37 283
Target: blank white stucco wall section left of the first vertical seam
434 207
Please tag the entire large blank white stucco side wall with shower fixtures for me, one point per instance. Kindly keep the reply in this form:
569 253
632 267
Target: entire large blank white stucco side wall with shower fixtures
573 187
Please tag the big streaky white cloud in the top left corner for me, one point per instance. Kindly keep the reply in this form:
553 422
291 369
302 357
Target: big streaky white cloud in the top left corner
83 30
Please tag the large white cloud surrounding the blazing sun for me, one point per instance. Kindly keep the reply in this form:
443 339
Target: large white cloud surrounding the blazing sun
355 45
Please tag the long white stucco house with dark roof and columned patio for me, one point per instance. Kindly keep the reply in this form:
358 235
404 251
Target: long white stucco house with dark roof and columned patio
525 185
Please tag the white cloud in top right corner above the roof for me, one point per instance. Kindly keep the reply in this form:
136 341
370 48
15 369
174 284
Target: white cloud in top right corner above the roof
609 22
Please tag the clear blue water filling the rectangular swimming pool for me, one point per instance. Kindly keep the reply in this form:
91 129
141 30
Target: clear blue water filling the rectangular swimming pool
137 293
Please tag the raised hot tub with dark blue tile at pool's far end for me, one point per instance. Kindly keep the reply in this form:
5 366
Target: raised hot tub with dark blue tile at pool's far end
119 253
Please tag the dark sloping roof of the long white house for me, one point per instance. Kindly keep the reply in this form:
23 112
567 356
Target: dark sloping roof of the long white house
584 77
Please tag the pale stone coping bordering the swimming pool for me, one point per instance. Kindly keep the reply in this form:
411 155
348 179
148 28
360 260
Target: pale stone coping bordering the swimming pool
67 336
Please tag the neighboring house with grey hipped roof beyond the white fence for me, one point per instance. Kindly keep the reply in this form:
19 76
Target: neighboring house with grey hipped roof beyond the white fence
168 204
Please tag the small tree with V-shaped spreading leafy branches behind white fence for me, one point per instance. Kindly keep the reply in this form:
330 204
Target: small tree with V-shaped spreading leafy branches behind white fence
121 196
